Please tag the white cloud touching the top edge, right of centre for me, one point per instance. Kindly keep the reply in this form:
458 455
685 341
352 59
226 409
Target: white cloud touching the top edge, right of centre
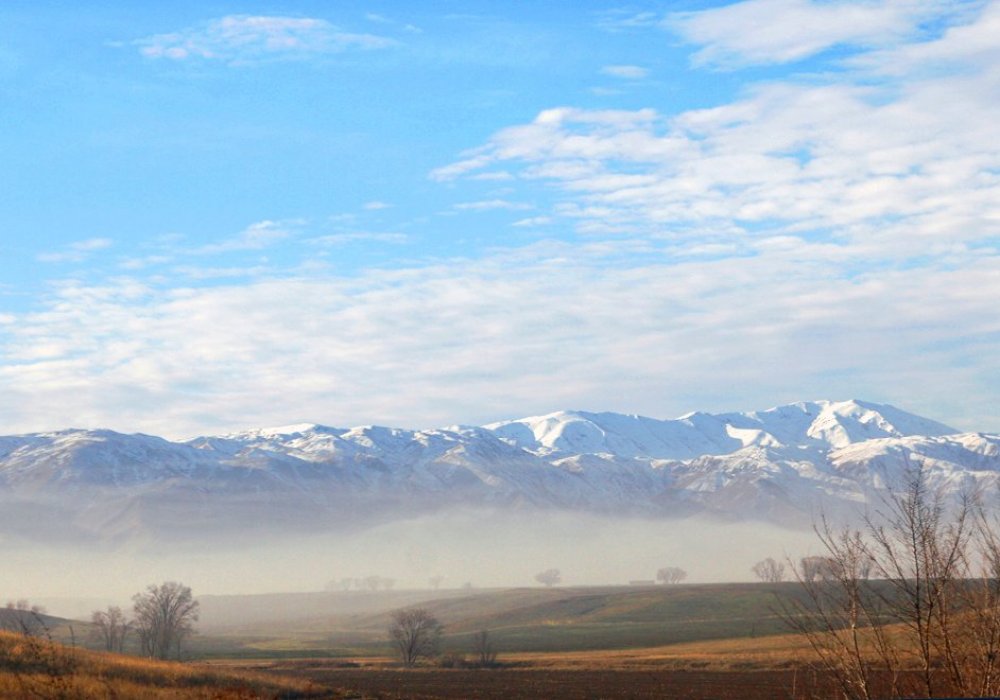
781 31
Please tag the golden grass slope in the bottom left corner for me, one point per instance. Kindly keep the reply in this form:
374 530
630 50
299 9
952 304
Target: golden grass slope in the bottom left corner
33 667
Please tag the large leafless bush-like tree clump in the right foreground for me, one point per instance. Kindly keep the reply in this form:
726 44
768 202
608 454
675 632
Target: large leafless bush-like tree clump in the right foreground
918 586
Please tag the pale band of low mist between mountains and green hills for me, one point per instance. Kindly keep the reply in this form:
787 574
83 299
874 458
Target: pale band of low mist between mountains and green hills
455 549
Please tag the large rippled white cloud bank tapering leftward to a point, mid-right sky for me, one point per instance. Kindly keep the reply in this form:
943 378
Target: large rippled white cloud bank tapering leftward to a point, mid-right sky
875 166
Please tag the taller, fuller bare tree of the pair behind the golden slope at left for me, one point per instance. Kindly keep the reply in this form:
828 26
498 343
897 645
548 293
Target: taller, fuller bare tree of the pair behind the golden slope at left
164 617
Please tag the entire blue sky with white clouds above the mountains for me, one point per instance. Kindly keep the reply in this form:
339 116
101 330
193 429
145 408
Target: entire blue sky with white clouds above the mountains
223 215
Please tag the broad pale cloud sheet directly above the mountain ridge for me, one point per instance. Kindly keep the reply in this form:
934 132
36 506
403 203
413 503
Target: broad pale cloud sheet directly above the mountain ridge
527 331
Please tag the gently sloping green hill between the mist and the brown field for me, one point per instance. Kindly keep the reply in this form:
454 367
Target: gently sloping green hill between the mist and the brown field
526 620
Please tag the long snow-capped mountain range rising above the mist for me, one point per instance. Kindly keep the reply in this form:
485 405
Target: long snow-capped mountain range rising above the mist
778 465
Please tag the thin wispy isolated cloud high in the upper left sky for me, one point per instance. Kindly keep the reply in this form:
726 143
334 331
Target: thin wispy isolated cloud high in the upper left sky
248 38
